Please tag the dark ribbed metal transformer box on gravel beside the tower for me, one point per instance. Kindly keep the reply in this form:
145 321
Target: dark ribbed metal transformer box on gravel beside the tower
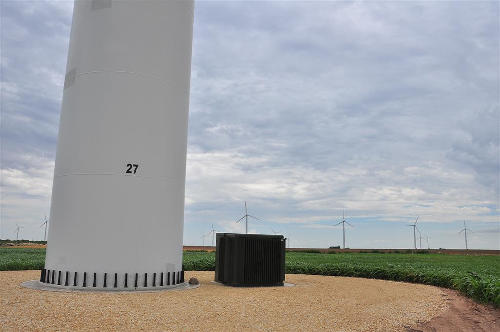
250 259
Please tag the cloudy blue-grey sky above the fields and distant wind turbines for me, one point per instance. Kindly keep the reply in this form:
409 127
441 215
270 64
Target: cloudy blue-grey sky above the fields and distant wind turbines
386 109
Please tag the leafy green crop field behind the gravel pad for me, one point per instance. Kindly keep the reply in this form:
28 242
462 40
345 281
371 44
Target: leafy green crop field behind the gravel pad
475 276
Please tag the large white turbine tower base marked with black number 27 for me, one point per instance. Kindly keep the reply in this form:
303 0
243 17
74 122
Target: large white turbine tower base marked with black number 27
117 205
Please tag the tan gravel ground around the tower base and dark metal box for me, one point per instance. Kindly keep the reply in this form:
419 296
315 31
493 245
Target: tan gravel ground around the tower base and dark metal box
314 303
